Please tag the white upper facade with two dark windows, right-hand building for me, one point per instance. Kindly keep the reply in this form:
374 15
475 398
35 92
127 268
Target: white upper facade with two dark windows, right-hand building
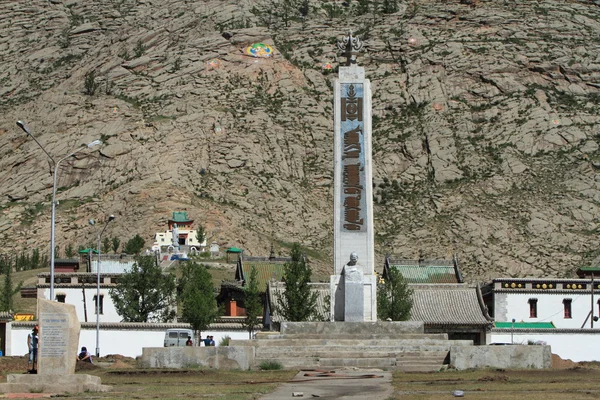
550 308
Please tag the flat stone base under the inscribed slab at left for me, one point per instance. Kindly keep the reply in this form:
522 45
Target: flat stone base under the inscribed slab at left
56 384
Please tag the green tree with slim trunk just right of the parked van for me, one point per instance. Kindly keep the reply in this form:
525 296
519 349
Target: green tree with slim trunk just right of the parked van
198 298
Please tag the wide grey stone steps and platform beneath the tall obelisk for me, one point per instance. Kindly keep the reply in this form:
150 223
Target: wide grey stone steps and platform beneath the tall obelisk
402 346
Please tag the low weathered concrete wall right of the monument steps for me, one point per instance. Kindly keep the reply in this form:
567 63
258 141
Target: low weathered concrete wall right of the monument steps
509 357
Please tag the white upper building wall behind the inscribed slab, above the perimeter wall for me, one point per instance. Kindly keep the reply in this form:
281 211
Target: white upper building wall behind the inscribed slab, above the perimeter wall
75 297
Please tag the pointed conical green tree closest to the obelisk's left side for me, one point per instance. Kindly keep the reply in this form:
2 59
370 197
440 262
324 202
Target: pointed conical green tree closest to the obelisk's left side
298 302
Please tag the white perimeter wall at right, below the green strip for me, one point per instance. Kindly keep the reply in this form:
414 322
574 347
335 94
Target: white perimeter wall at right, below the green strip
572 346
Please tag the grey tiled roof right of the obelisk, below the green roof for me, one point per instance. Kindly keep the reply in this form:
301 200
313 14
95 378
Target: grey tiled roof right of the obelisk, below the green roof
447 305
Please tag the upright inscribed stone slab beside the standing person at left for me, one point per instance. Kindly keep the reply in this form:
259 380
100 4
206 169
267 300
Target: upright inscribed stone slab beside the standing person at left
59 338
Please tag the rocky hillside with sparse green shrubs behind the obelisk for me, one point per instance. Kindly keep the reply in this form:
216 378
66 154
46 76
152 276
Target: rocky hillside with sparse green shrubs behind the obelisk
485 125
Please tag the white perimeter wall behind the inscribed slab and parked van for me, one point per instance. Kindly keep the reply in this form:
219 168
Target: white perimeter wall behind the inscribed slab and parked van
112 341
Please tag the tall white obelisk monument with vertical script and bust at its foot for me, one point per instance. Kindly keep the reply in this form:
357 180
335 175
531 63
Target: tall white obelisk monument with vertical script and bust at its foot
353 285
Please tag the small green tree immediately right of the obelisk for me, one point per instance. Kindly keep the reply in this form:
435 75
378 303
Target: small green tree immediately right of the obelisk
394 298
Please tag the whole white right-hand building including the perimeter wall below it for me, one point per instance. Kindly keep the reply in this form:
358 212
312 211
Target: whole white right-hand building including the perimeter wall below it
562 313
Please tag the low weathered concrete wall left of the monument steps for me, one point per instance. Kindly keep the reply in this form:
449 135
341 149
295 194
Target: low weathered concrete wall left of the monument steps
225 357
